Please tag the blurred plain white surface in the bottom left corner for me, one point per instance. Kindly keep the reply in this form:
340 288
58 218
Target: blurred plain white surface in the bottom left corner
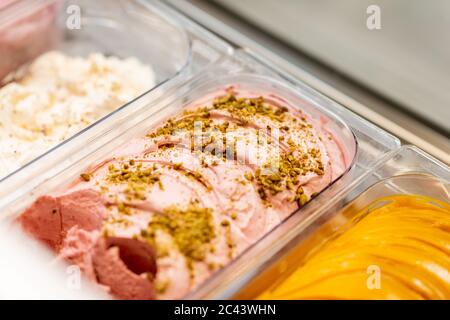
28 271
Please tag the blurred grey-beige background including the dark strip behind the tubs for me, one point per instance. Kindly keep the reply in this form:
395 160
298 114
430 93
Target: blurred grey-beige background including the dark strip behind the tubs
401 71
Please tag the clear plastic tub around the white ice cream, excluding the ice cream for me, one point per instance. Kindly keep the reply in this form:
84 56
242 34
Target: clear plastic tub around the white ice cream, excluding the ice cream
173 46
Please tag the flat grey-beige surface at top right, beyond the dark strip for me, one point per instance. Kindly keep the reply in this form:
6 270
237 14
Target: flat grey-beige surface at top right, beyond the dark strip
396 48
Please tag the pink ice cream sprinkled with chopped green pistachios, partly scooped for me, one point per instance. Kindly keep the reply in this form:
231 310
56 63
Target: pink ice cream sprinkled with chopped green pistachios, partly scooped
167 210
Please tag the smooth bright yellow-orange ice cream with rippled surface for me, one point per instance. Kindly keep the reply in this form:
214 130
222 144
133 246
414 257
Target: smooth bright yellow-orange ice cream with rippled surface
397 251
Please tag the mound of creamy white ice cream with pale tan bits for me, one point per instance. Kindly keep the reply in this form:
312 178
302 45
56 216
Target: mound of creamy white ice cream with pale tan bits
59 96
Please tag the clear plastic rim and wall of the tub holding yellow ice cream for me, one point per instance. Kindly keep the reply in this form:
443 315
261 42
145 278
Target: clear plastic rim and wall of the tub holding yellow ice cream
409 171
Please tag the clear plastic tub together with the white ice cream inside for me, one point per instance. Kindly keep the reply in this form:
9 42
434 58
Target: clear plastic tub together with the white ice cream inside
67 64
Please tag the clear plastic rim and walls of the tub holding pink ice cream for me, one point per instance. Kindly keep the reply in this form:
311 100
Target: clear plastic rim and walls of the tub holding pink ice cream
364 145
